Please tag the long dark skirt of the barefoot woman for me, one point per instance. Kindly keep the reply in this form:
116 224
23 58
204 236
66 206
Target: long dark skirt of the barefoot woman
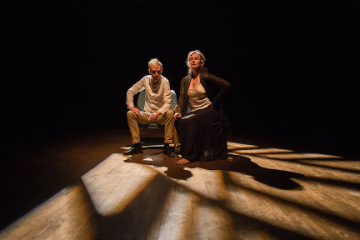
202 135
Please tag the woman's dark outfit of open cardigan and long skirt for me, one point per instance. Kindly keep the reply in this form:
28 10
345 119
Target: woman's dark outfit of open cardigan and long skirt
203 132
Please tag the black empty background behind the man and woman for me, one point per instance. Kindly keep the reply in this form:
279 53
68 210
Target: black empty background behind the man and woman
292 65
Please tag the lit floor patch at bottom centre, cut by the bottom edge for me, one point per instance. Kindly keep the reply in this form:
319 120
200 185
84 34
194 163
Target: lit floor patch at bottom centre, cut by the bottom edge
185 213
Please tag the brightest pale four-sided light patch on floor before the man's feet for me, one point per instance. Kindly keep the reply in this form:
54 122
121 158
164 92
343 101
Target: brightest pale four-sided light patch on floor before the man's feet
116 187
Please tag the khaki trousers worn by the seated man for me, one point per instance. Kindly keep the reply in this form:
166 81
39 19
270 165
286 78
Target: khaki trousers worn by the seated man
166 118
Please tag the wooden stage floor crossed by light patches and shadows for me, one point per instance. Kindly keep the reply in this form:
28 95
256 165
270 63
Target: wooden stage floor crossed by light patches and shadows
85 188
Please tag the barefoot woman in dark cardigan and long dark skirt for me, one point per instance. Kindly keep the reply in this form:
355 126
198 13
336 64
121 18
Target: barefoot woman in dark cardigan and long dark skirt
202 131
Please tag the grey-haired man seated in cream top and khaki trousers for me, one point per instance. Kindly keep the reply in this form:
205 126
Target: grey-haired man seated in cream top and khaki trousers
157 107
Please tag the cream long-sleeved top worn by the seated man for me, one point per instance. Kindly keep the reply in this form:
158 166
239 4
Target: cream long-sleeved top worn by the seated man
158 96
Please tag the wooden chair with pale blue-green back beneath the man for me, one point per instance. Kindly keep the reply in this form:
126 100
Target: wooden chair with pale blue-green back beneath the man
140 104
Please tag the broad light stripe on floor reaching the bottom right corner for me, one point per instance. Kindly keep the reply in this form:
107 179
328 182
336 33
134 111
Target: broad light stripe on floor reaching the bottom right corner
286 211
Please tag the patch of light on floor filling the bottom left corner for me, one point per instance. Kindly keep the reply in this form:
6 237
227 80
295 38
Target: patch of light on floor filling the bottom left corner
65 214
